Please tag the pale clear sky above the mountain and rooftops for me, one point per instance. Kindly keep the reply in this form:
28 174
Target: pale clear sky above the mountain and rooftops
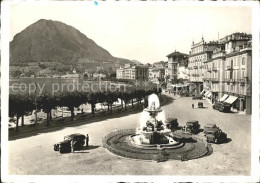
140 31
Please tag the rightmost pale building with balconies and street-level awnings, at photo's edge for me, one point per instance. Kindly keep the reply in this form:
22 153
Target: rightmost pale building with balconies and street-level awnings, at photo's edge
238 70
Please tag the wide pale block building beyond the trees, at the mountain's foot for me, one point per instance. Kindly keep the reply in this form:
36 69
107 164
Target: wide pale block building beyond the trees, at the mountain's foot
132 72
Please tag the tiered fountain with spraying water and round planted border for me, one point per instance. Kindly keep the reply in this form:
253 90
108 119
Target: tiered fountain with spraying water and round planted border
153 138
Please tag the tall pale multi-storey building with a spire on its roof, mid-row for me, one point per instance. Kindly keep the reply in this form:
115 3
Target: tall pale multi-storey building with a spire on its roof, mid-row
200 53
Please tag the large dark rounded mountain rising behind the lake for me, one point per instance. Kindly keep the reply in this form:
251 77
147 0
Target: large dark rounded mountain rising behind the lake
52 42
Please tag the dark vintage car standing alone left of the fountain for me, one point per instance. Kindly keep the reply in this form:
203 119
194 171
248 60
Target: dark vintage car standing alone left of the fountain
65 146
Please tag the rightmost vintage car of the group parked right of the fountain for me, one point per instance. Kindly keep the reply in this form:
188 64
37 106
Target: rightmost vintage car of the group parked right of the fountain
214 134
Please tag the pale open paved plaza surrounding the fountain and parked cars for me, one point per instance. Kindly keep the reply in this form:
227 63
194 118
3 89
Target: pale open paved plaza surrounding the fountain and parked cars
35 155
